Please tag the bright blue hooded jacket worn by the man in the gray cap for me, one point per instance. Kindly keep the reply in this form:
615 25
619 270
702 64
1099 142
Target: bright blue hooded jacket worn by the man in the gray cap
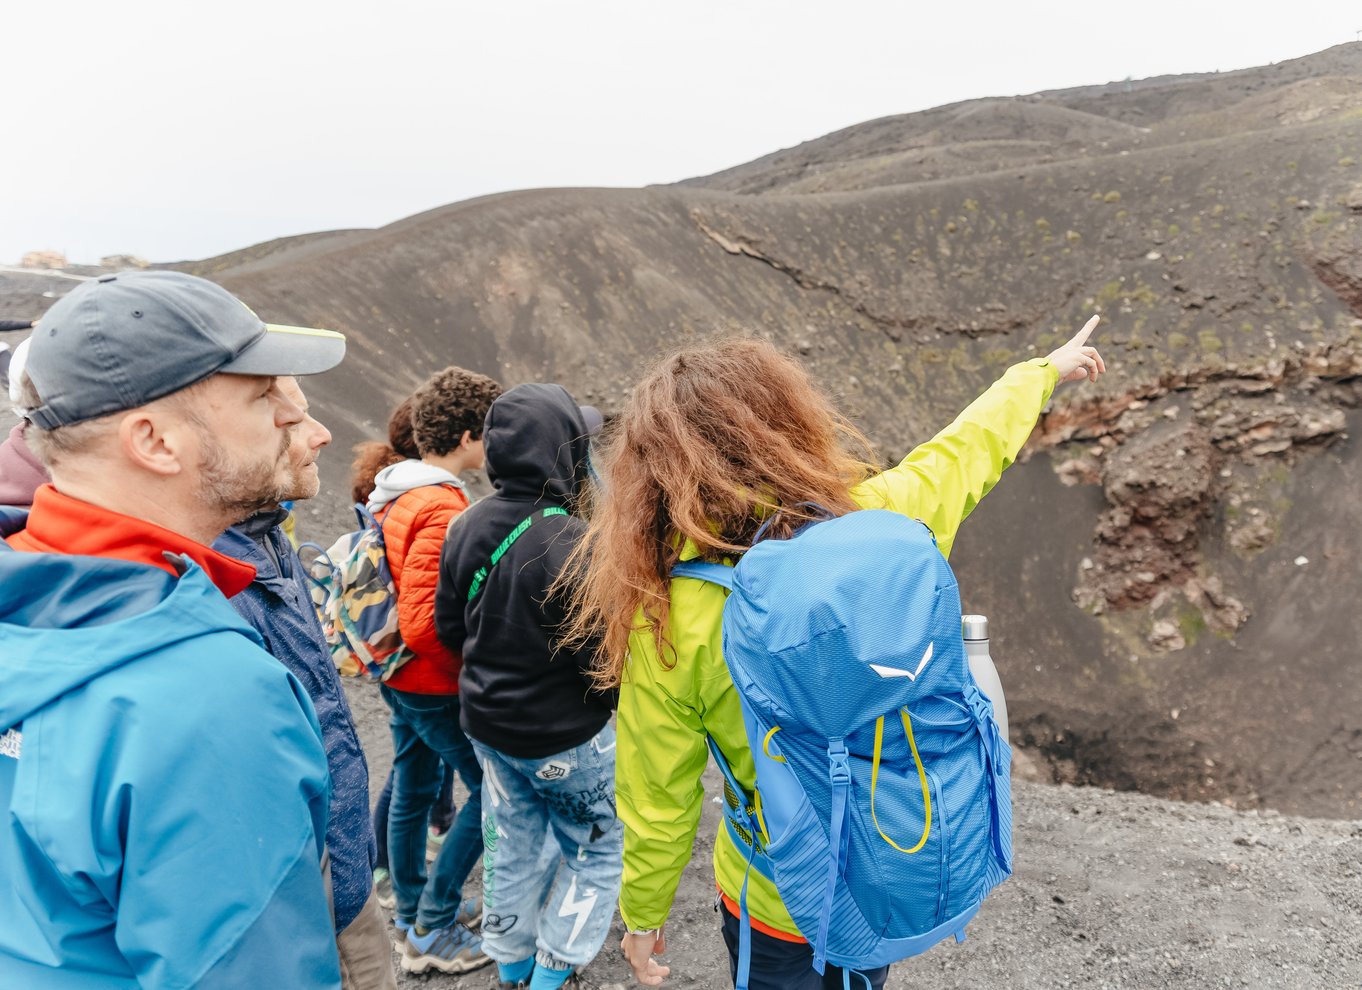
164 786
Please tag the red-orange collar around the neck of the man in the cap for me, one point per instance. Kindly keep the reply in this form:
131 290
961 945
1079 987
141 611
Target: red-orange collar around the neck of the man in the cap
59 524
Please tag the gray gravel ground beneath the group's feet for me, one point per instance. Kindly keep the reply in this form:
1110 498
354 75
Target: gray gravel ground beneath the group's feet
1111 891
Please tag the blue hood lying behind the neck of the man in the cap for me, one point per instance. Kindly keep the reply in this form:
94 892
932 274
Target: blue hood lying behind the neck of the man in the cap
66 620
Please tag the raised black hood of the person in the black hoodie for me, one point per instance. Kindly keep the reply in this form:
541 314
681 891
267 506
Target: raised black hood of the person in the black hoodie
537 443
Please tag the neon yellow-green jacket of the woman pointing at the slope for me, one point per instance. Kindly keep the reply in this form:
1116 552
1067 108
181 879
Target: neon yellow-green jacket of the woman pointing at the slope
665 716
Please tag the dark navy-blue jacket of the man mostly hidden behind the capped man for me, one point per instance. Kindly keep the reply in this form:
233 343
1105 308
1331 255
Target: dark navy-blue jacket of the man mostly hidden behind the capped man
279 605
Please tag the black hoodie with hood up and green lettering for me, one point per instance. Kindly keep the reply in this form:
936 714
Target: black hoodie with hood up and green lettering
521 694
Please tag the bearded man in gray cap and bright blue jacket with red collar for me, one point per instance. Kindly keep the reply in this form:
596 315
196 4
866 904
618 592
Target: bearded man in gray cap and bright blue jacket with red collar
163 777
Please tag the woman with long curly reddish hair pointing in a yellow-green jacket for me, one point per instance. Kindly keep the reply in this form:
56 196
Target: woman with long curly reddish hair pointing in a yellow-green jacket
714 443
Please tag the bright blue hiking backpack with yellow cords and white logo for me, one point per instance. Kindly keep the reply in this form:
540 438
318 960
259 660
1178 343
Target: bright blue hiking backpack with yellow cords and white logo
883 808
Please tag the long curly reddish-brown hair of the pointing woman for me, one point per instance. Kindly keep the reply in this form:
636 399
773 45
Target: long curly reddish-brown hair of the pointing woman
713 442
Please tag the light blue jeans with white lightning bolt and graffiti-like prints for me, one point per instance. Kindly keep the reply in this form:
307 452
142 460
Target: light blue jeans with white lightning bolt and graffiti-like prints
552 853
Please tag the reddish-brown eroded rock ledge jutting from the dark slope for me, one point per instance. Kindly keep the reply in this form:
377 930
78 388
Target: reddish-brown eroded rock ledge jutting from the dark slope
1195 457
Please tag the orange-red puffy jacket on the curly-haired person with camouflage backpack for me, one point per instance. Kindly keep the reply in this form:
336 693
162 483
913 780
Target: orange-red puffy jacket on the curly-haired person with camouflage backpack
413 530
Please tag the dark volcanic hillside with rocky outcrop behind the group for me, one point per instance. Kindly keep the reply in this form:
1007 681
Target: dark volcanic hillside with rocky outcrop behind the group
1173 577
